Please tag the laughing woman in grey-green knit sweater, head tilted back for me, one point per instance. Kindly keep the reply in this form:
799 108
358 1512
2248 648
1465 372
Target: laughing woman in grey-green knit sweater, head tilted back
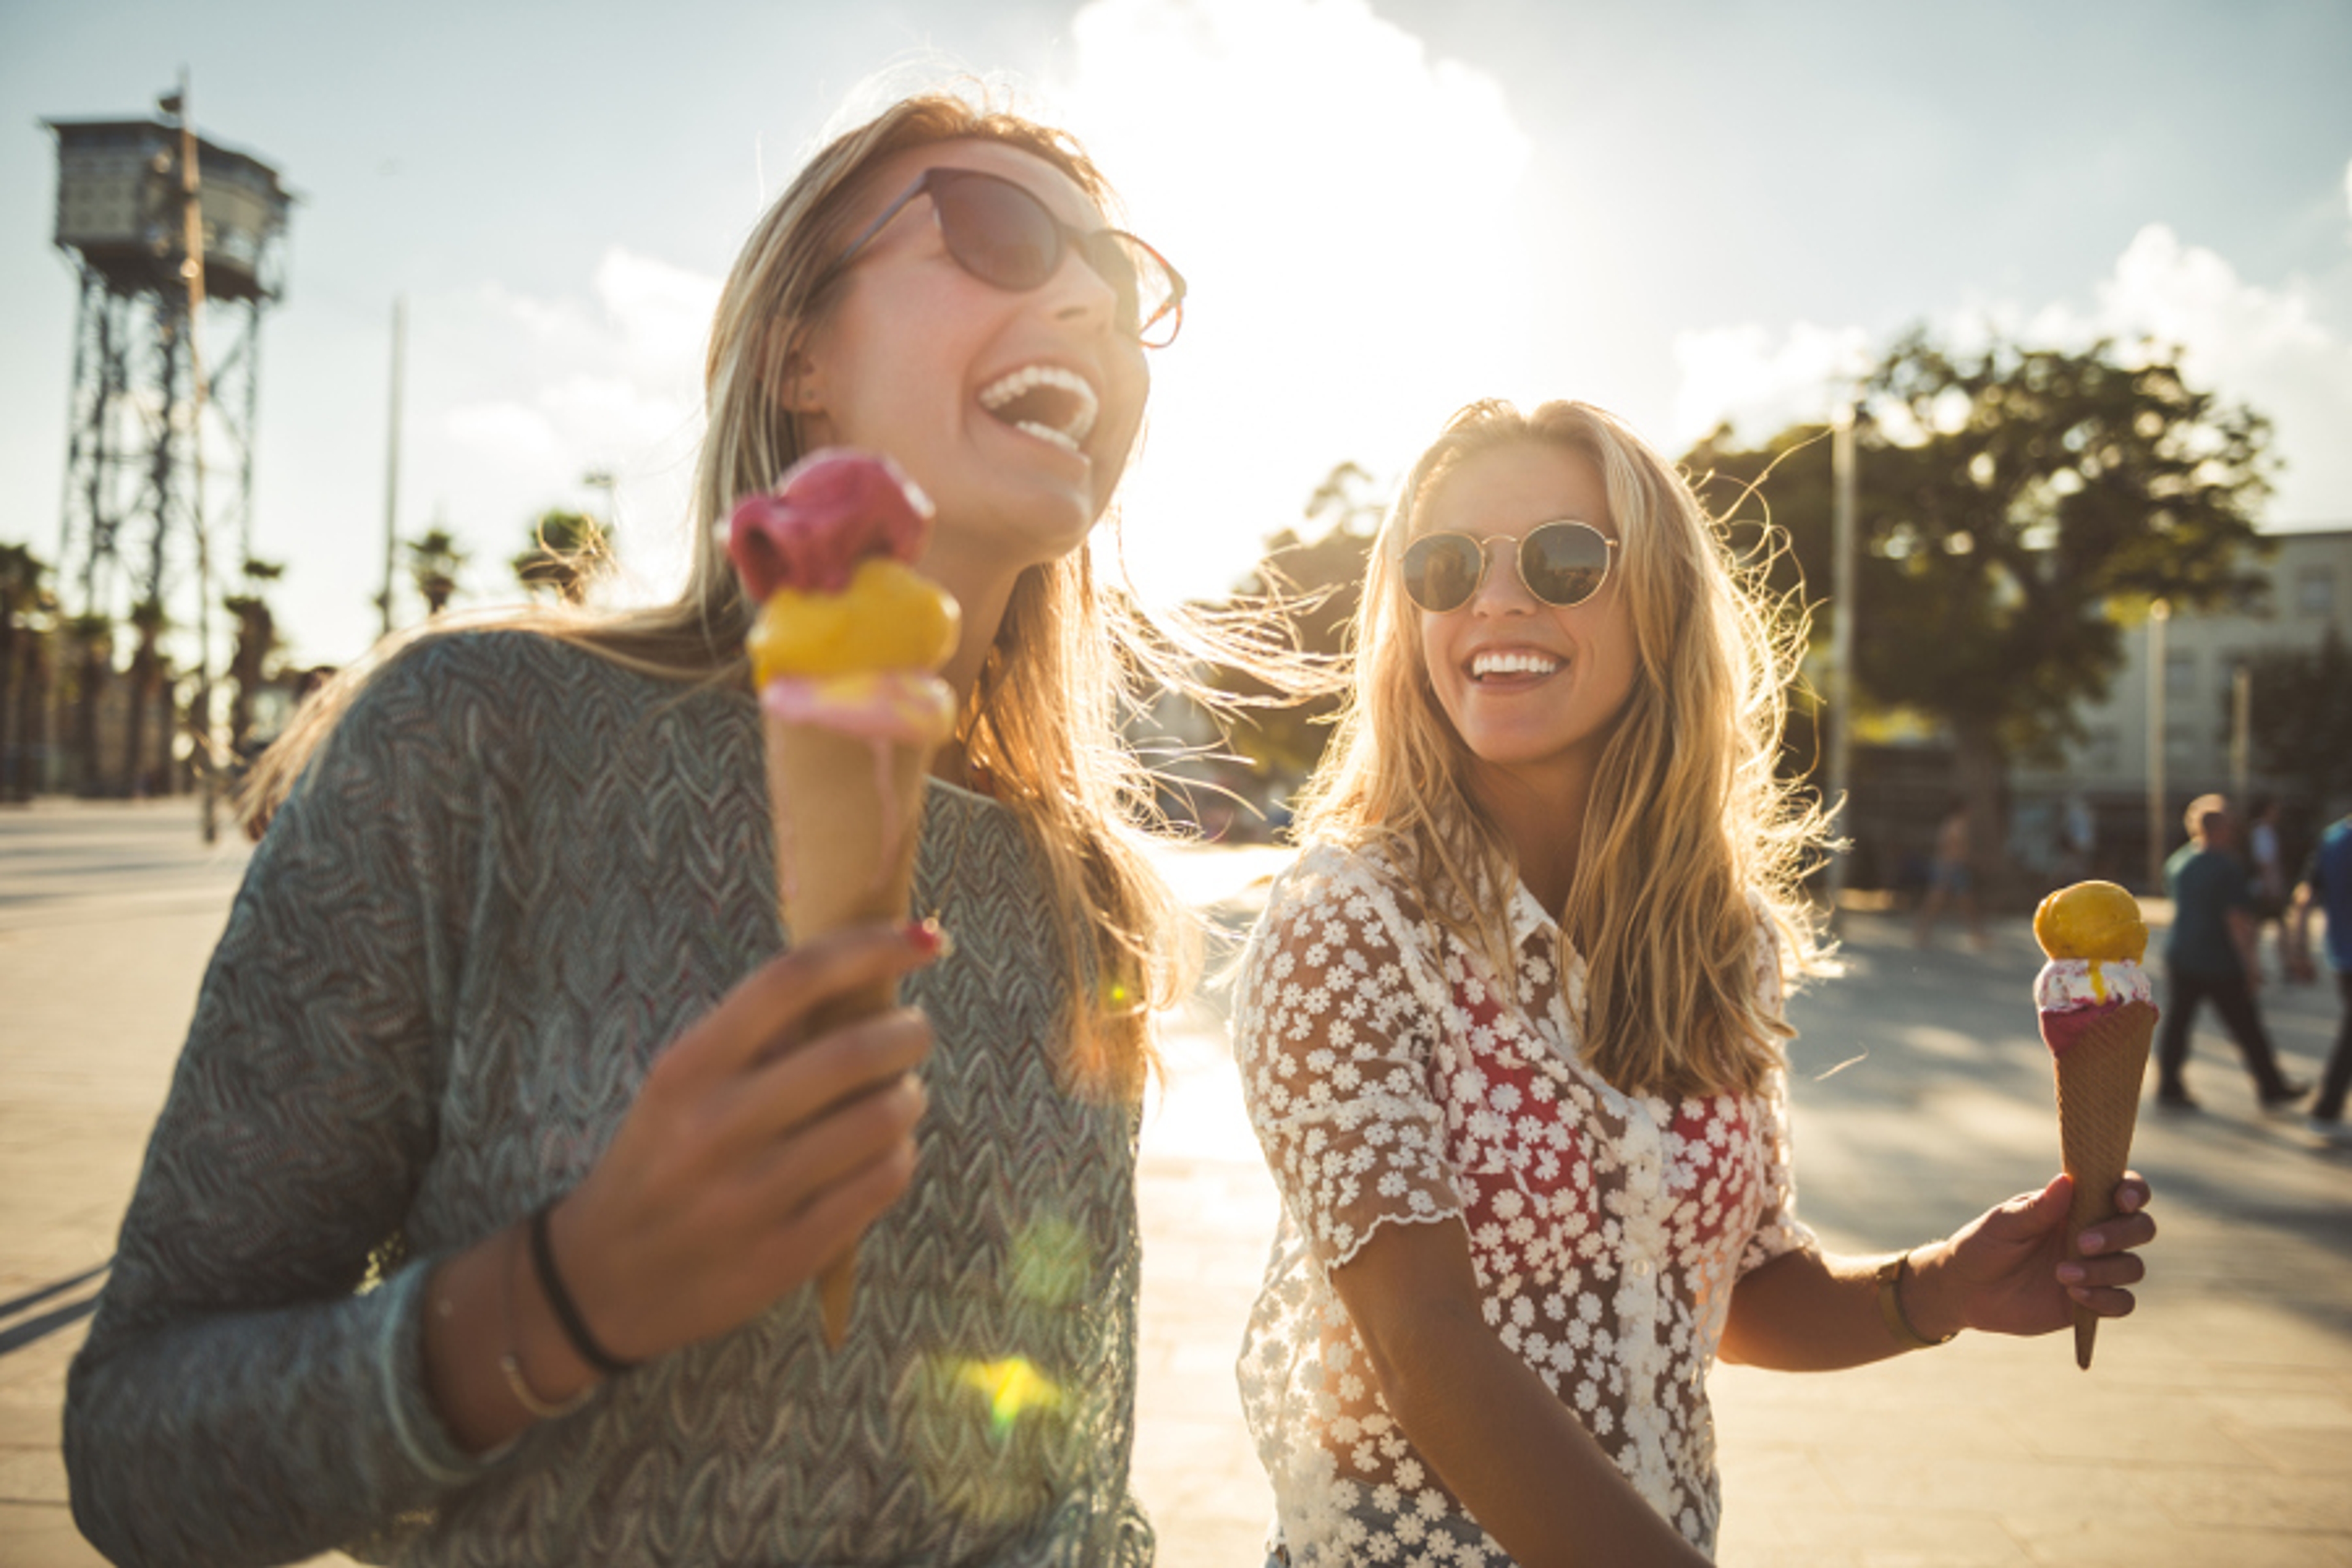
479 1219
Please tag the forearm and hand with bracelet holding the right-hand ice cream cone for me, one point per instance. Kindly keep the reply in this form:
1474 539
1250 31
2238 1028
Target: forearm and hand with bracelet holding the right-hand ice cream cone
2005 1273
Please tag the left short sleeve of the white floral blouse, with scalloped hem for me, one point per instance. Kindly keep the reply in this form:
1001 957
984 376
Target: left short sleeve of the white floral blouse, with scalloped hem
1335 1038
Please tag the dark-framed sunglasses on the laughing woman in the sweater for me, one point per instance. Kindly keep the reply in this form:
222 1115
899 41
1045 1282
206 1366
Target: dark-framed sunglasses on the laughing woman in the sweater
1005 236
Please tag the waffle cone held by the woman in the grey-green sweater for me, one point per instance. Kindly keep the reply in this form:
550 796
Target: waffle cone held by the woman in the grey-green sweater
848 815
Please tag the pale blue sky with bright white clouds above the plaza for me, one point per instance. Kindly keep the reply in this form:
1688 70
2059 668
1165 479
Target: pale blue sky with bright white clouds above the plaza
1683 210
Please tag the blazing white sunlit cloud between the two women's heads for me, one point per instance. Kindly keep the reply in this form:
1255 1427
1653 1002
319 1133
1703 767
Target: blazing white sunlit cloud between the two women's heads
1344 206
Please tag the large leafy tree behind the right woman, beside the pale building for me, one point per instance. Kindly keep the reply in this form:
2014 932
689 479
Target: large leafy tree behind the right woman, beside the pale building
2019 509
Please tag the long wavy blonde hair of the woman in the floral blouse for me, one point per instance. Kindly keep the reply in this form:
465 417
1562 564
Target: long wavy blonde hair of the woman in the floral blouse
1688 833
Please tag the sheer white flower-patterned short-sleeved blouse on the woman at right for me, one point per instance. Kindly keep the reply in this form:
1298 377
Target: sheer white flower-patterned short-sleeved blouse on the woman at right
1396 1080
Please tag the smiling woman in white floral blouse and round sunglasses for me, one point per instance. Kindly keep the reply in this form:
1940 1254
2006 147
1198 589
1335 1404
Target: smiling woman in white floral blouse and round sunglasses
1511 1040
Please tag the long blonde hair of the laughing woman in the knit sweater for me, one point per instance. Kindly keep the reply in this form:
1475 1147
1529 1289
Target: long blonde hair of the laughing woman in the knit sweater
1041 723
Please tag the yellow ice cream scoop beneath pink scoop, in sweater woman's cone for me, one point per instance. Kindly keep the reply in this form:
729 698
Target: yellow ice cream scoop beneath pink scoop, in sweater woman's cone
888 619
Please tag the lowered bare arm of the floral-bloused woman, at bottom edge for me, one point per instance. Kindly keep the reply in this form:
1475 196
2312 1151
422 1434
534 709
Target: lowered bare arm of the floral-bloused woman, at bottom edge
1490 1428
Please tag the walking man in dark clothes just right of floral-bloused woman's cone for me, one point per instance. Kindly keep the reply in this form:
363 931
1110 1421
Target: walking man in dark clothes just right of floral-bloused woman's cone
2210 958
